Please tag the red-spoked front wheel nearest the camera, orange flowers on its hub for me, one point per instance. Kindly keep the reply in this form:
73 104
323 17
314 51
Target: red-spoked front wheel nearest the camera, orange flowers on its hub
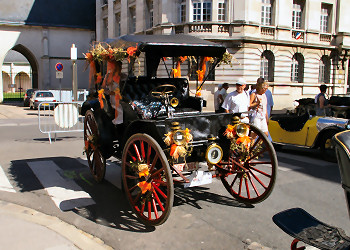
147 179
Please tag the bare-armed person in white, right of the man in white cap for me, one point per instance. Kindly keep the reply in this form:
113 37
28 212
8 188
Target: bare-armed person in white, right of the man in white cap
258 104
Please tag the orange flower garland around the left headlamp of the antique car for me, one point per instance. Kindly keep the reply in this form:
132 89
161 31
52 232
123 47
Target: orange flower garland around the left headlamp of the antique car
177 151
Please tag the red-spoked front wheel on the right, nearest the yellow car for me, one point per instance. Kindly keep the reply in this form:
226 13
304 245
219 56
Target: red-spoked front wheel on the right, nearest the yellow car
250 175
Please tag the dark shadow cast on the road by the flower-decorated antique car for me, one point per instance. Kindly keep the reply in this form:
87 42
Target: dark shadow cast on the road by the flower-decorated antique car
110 208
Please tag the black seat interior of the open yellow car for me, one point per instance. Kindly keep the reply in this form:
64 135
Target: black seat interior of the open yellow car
291 123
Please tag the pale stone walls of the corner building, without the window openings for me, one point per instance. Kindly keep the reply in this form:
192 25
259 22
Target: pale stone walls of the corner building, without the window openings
246 39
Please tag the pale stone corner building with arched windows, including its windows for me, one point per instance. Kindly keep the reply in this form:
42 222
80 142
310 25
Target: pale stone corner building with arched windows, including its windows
294 44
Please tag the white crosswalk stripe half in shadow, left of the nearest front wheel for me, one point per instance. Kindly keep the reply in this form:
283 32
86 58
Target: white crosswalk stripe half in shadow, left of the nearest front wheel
65 193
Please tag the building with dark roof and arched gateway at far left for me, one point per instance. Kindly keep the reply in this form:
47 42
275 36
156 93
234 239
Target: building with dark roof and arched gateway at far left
43 32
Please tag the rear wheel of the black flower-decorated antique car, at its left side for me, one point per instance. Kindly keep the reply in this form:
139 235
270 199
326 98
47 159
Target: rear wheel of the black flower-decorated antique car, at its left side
96 160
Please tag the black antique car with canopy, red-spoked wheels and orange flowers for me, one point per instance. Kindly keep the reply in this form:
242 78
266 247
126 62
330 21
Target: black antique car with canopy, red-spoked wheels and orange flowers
157 128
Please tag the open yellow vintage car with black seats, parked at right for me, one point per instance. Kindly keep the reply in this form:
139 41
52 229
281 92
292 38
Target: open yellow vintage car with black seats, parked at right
304 129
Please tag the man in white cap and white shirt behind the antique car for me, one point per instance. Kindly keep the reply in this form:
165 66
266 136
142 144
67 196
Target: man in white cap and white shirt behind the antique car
238 100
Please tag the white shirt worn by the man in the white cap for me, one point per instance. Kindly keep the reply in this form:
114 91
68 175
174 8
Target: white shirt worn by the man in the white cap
236 102
